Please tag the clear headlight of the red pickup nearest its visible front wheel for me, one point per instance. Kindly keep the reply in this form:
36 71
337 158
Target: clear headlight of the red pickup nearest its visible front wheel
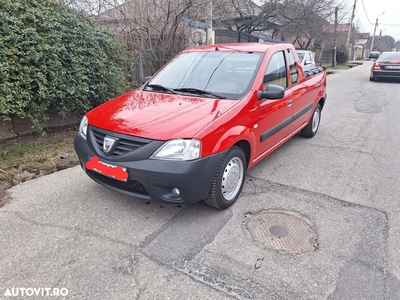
179 149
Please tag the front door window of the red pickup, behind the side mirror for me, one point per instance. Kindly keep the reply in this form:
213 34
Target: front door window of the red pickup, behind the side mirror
276 72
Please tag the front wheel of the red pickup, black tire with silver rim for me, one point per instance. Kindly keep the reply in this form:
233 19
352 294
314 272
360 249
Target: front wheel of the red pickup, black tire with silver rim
228 180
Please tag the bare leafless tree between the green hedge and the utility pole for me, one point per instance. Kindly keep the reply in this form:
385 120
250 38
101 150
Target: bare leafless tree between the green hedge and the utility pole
153 30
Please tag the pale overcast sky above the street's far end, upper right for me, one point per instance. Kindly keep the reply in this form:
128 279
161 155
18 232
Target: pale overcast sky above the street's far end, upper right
367 11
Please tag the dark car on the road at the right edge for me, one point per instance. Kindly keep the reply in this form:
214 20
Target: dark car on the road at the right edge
387 66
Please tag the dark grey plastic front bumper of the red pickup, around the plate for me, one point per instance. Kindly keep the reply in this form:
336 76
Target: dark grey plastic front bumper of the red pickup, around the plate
155 179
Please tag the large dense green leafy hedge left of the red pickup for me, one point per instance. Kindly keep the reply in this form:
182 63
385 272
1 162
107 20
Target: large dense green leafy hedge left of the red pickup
54 58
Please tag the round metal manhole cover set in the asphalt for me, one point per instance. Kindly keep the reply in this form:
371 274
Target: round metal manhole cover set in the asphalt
280 230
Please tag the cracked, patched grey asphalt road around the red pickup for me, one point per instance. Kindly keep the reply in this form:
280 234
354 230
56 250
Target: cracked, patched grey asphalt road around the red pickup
65 234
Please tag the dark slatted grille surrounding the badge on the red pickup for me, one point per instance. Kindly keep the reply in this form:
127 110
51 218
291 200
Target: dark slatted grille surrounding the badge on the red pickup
125 143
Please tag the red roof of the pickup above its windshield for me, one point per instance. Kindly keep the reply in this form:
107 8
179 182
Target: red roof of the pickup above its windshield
243 47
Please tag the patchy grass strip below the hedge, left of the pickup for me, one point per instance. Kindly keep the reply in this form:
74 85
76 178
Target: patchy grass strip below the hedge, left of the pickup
33 150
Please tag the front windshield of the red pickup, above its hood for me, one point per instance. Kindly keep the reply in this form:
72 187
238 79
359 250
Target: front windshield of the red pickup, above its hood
212 74
